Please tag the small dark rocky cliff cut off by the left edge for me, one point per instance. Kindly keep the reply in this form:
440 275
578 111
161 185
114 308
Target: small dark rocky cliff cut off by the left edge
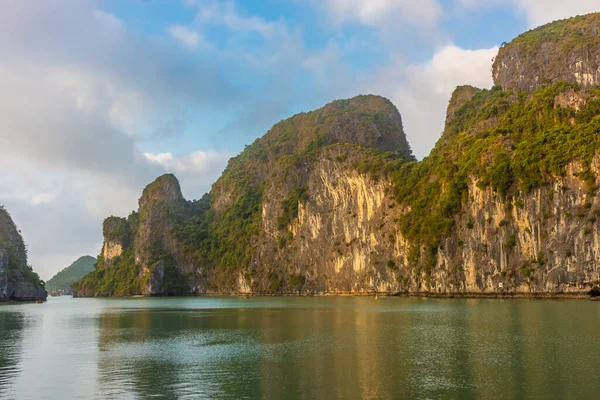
17 279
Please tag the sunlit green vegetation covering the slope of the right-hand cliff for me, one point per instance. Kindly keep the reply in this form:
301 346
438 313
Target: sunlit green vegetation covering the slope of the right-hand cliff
510 141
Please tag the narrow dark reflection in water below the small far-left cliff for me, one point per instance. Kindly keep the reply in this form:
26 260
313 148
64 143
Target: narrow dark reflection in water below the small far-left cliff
11 341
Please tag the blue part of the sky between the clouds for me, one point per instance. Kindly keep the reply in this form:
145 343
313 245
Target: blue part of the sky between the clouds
360 47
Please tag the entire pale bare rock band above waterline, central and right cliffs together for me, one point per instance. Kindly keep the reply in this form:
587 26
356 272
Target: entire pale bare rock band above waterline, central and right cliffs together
346 239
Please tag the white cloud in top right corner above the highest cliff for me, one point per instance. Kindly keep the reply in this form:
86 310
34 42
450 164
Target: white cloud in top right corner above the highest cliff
539 12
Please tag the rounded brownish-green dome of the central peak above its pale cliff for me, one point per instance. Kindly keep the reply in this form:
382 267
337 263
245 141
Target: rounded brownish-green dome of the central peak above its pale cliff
367 121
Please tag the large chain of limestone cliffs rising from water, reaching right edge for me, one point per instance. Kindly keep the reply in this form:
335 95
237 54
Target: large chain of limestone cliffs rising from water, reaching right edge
333 201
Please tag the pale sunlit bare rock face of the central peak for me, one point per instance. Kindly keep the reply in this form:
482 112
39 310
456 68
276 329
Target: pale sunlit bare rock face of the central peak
341 239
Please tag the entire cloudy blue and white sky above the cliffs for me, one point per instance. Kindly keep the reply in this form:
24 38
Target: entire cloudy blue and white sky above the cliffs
99 97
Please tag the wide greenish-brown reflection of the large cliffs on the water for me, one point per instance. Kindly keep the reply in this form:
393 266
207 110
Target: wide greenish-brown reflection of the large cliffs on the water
352 348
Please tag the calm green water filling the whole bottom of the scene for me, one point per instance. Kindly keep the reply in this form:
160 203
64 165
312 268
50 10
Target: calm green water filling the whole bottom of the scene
300 348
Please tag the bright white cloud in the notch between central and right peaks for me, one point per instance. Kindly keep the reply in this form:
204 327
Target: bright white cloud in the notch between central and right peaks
422 92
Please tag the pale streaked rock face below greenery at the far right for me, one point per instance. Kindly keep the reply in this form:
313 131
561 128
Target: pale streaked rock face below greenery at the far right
544 241
